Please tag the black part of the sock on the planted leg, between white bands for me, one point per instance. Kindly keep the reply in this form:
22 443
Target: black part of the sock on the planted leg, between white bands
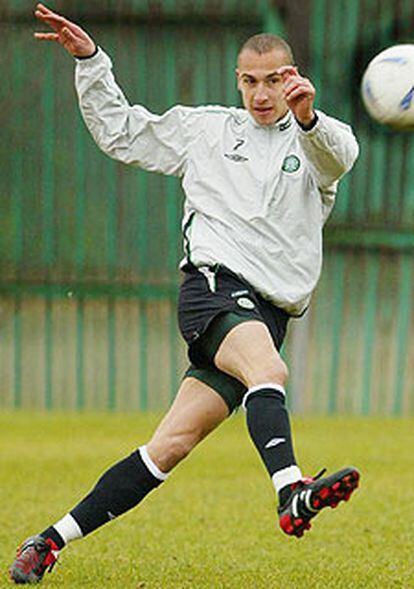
119 489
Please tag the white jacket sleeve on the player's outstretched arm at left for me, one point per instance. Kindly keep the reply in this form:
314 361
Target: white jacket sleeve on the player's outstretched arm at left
129 134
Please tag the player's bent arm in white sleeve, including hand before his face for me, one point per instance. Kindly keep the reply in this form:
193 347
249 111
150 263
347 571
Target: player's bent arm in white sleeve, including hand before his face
330 145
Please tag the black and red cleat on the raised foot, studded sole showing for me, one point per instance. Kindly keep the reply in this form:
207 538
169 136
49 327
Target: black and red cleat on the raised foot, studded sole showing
309 496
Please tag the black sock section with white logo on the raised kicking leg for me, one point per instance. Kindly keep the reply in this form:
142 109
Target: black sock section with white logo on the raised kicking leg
269 428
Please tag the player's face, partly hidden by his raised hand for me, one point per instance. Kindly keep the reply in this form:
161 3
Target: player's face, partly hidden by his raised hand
260 85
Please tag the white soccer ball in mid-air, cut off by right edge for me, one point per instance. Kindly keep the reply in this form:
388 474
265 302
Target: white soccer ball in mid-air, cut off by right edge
387 87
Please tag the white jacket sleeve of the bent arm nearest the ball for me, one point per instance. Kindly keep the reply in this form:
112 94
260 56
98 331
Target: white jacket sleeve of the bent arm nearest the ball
330 148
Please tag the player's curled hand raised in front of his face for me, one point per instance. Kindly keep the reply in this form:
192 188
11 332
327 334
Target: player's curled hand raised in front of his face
299 94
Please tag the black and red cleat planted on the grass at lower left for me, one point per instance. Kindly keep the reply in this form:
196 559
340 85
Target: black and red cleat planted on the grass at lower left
33 558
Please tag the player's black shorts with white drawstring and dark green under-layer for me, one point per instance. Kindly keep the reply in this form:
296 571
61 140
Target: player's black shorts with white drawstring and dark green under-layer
212 301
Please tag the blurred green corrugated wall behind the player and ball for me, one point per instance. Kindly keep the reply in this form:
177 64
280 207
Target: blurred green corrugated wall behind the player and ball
90 248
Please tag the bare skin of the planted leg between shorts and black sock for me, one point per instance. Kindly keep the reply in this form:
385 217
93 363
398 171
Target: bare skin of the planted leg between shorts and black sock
197 410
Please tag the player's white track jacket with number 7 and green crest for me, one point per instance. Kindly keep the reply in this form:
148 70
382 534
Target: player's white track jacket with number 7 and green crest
256 197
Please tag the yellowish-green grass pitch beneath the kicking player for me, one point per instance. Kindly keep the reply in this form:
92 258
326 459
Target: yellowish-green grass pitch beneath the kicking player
213 524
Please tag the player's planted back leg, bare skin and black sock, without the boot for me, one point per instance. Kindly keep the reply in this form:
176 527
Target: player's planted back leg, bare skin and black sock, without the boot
196 411
